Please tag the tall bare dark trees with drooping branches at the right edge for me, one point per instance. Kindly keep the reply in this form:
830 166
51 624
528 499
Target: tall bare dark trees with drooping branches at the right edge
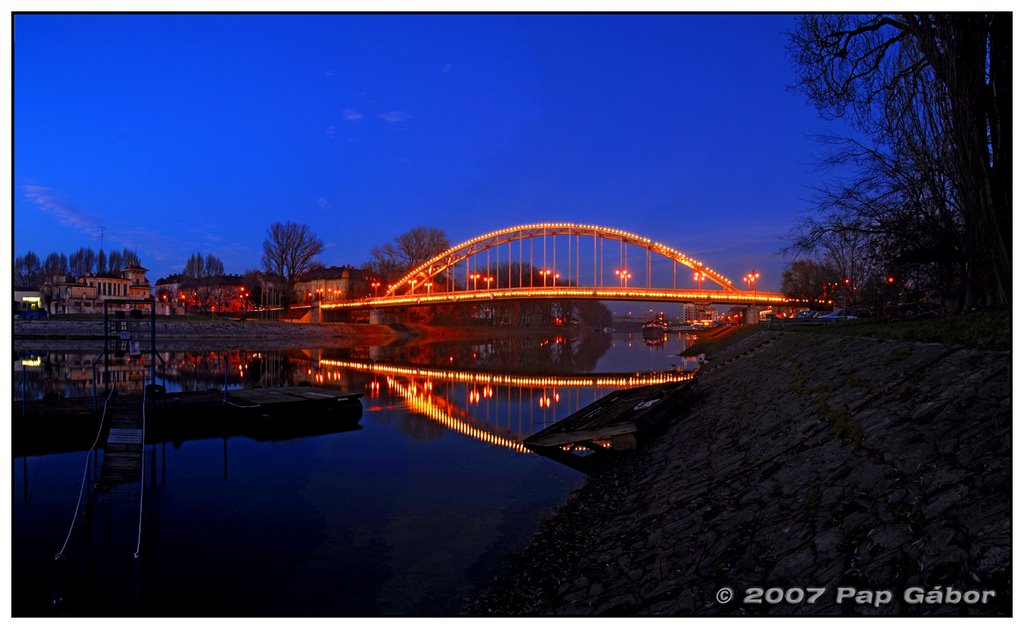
927 196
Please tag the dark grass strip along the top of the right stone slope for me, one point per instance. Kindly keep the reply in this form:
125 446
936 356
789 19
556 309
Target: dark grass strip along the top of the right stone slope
985 330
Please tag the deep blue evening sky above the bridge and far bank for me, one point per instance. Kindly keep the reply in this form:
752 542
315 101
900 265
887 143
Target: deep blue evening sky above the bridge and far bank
185 134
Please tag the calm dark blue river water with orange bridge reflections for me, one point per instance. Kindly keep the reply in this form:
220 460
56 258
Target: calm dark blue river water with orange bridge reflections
406 515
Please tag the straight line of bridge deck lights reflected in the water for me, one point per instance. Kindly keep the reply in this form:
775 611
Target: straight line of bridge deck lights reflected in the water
450 375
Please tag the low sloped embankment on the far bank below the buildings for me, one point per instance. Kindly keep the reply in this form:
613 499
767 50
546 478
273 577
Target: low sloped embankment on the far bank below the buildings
221 334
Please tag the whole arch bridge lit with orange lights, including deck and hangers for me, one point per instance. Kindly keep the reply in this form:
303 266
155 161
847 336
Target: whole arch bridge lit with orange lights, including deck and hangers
561 262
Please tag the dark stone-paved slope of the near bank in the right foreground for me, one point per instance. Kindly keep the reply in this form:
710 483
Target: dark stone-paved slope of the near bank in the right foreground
809 462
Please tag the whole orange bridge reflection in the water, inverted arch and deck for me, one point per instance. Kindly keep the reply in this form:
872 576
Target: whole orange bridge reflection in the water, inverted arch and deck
495 408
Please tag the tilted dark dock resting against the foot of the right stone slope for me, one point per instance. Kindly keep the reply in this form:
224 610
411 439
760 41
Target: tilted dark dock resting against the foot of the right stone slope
614 423
